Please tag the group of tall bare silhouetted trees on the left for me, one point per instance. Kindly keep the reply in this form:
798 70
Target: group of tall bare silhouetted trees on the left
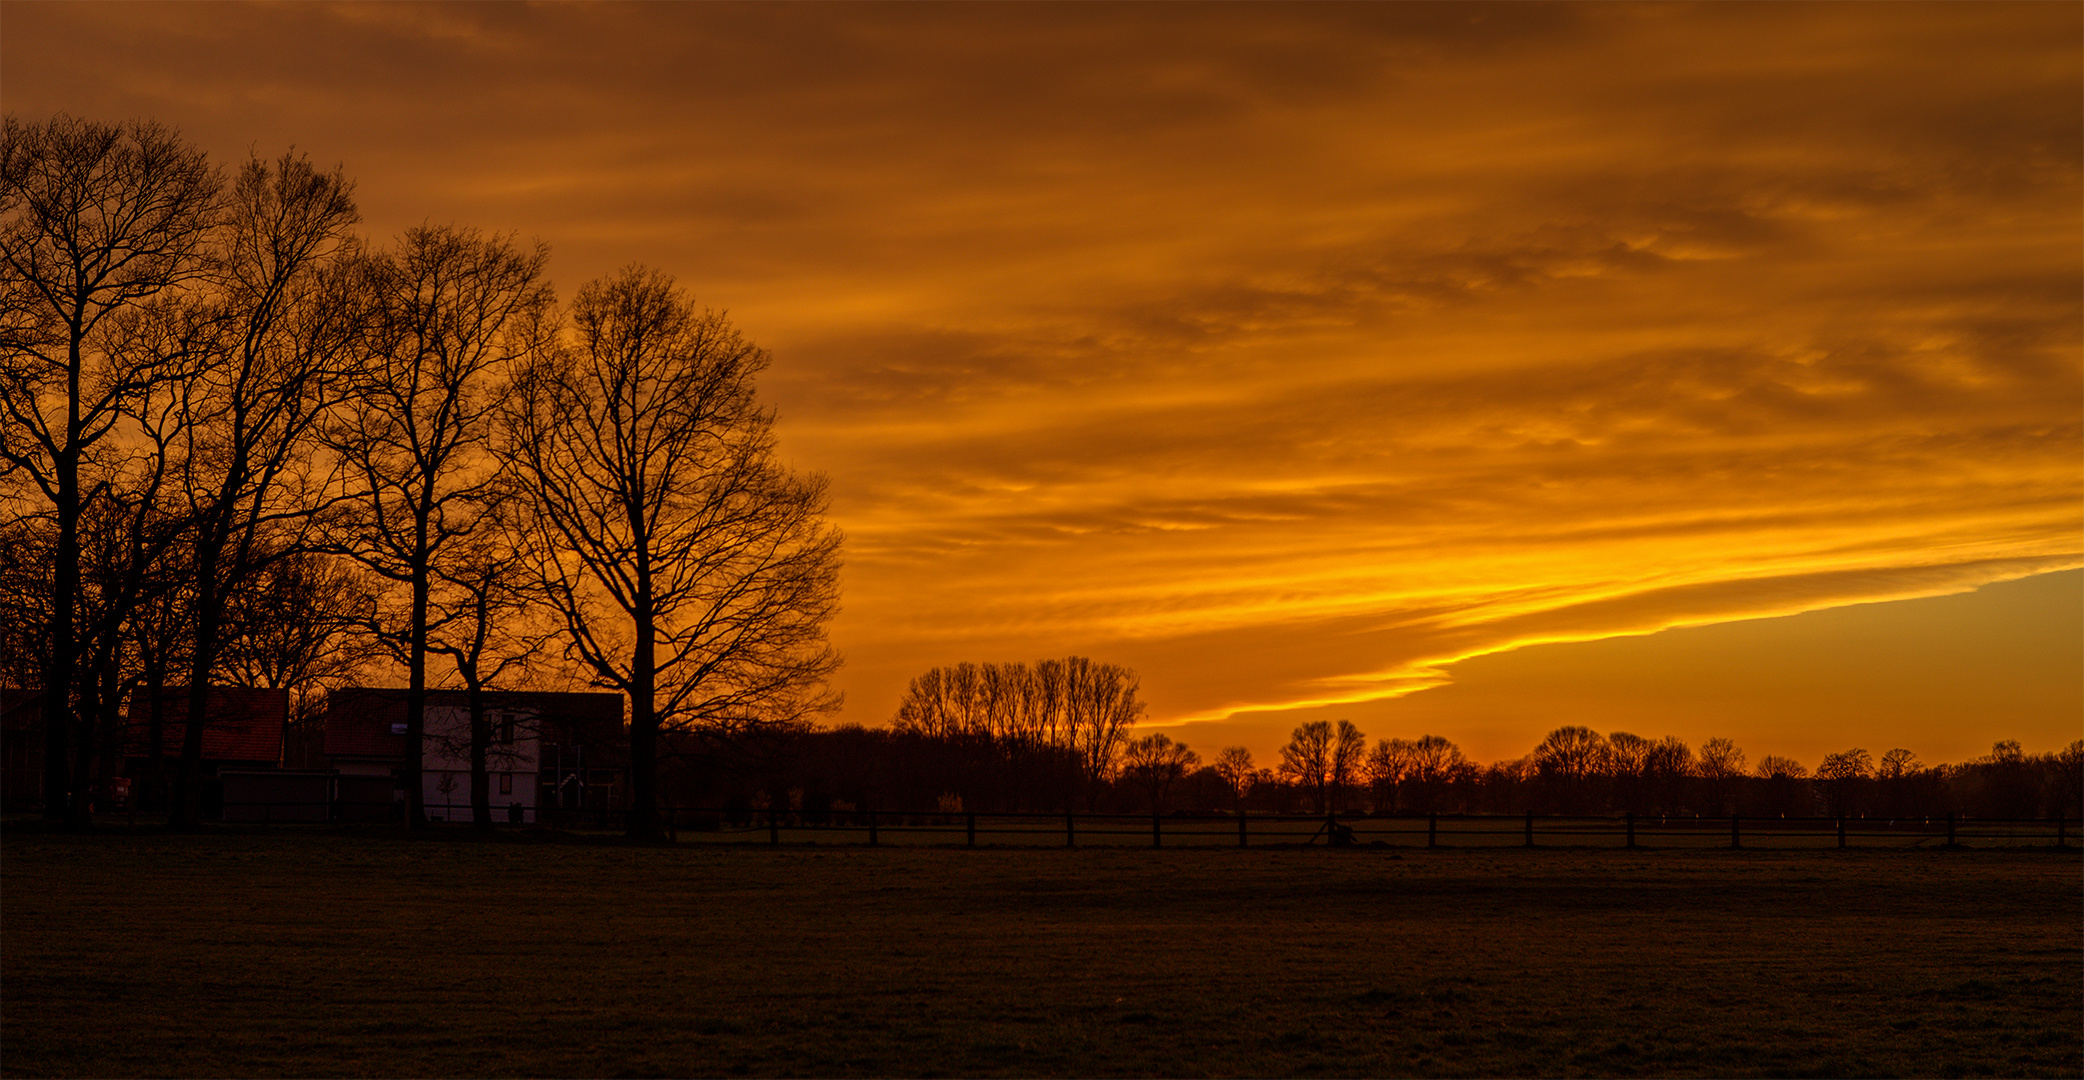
241 445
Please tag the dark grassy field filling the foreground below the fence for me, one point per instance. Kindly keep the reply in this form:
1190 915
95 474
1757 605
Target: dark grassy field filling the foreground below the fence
382 956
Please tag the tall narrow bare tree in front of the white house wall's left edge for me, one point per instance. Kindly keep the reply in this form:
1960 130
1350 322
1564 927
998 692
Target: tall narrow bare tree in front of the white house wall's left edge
449 314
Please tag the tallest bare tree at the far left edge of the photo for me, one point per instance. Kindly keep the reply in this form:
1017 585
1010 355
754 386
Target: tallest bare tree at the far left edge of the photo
95 220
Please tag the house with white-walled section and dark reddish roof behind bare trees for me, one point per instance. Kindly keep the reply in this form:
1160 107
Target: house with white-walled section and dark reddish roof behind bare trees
549 750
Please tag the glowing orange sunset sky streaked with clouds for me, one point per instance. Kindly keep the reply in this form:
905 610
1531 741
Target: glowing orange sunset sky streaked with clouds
1460 370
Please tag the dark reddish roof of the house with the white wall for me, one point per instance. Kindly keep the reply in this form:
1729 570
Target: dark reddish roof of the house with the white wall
359 718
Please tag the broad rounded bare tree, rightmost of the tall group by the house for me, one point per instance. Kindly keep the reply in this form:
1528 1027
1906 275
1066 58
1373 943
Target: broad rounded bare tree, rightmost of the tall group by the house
689 568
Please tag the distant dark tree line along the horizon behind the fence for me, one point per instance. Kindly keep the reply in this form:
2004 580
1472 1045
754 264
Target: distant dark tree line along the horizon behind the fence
985 756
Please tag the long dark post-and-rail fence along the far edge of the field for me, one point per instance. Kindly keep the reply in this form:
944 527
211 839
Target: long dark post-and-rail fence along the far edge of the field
1433 831
